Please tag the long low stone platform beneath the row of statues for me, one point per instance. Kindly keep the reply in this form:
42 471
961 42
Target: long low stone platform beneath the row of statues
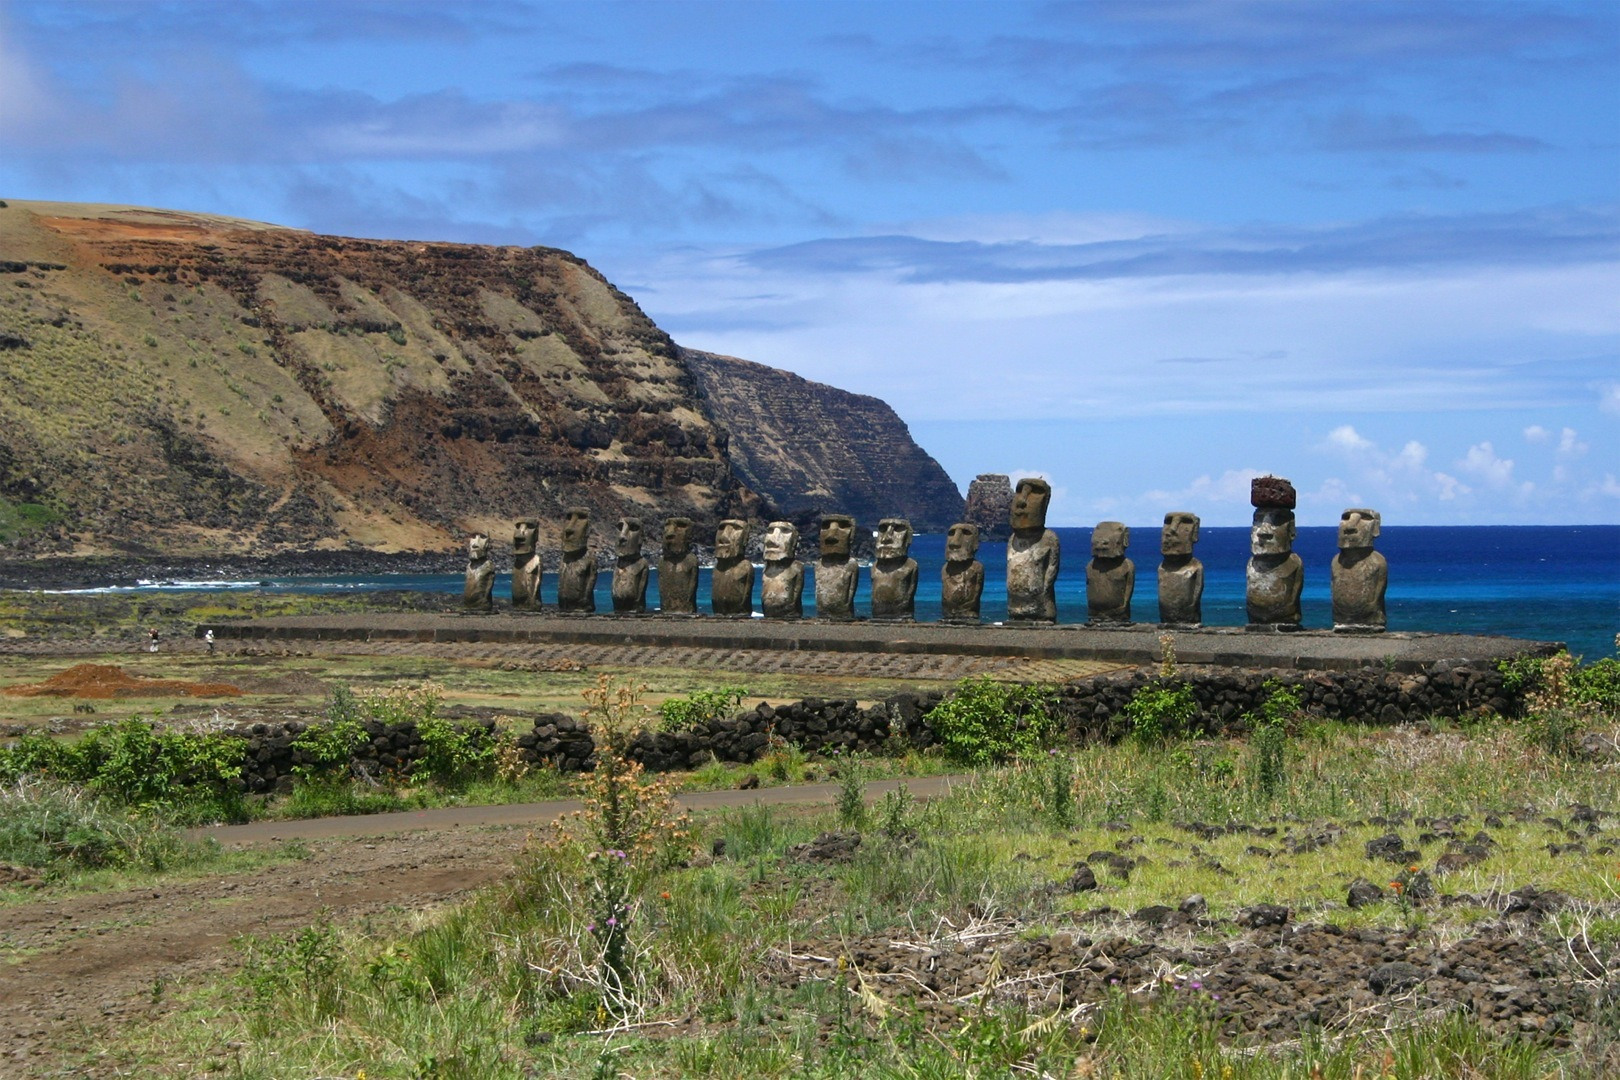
1235 647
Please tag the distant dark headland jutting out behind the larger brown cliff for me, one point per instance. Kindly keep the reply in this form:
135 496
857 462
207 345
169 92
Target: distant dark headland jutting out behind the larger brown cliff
811 448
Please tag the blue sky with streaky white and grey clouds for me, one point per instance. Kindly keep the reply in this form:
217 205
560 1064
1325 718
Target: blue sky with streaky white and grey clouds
1143 249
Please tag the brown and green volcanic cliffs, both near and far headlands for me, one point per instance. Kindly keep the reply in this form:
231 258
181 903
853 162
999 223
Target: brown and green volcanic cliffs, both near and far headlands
187 383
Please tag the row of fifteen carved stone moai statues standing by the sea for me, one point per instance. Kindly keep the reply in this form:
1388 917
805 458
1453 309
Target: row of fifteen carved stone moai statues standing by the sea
1276 574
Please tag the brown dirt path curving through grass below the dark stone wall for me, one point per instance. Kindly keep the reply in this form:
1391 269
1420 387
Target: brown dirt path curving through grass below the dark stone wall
74 967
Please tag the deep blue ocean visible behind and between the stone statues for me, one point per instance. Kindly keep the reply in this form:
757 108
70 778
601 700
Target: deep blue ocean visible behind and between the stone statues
1548 584
